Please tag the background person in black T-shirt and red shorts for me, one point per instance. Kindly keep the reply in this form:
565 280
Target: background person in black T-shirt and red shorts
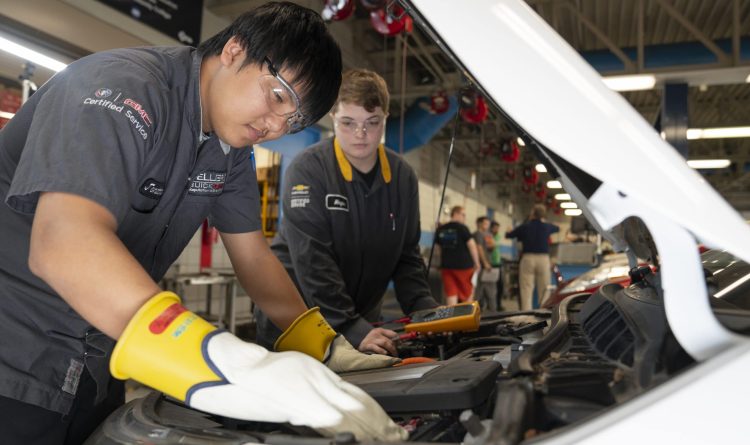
459 258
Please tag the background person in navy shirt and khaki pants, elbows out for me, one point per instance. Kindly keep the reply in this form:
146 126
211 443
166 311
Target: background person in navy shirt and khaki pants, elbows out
534 268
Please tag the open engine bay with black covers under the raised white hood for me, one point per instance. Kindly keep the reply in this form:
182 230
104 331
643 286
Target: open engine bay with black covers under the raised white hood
521 375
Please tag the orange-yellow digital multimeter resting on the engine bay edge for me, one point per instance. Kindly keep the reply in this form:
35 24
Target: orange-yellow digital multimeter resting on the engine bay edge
456 318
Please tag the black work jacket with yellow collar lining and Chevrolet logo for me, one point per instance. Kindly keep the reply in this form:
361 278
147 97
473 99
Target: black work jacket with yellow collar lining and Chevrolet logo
342 242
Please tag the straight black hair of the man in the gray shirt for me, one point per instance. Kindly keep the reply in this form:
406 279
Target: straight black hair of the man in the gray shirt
295 39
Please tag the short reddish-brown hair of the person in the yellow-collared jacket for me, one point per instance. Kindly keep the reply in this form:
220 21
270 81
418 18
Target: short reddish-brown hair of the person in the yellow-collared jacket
364 88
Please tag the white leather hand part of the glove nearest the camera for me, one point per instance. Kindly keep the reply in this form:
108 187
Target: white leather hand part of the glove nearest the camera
289 387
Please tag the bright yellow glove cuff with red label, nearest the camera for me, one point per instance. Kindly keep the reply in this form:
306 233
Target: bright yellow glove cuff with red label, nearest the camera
162 348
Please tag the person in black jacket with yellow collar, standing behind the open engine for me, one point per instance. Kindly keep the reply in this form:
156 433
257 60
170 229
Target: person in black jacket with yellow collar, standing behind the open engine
351 222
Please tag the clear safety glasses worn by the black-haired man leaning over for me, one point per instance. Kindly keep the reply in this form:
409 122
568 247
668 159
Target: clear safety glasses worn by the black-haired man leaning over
281 98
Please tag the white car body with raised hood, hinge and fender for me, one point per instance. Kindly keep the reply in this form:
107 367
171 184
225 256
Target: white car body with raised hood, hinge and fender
551 93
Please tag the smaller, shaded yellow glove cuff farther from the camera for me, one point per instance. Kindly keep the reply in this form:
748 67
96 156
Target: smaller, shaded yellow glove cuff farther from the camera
310 333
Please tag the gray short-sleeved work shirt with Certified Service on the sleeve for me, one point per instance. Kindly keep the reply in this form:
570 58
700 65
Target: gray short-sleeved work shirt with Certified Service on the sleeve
123 129
